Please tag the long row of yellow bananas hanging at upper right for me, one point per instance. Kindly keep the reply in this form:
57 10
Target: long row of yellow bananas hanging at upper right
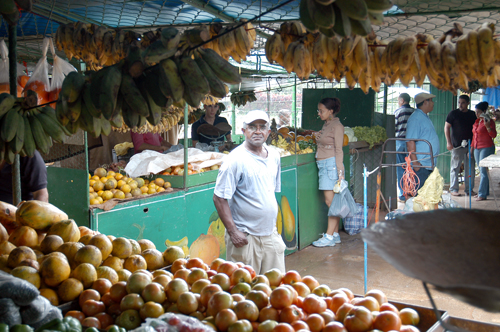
369 62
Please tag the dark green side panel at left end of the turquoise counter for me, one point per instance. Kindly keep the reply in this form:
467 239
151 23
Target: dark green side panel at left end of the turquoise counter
68 190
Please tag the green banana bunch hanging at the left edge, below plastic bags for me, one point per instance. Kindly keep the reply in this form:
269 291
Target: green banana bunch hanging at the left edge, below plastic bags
25 128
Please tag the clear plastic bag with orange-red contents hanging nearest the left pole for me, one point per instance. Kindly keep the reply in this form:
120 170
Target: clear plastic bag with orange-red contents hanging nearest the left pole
39 81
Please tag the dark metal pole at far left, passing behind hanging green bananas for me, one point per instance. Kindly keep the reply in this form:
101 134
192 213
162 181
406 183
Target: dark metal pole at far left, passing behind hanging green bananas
16 168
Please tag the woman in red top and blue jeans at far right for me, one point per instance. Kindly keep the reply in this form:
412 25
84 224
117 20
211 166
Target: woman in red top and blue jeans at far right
484 131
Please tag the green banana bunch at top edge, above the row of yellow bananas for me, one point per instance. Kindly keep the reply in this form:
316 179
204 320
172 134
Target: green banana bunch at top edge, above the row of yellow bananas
343 17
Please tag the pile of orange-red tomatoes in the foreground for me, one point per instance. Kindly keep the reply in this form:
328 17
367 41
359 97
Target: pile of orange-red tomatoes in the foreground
228 296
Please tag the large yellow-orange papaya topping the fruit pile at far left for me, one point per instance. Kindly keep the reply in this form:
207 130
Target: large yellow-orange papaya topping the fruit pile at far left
39 215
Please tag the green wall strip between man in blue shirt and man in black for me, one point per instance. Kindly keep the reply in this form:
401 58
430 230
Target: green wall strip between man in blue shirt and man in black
444 102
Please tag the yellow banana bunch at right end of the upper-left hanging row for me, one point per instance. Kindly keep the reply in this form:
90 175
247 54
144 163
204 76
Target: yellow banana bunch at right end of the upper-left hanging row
236 44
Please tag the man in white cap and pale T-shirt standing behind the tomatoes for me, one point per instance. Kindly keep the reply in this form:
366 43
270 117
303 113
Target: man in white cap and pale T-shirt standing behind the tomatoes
245 200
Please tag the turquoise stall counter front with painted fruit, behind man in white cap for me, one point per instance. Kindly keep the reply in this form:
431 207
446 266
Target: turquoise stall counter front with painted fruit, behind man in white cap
187 217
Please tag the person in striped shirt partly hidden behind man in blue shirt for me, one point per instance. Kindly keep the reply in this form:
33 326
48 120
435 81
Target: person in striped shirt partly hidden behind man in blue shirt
401 115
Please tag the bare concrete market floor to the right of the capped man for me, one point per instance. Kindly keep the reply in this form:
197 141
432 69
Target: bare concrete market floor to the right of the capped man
342 266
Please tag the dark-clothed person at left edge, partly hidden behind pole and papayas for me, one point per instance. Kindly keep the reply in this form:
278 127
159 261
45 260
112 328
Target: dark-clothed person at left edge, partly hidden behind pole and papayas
33 180
